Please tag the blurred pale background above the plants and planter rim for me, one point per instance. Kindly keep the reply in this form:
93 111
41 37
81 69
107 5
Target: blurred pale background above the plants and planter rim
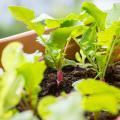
55 8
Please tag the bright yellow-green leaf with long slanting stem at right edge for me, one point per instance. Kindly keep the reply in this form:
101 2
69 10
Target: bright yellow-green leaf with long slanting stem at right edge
107 39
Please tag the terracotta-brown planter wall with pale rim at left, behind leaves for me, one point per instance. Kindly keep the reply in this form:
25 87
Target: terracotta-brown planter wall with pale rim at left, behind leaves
28 39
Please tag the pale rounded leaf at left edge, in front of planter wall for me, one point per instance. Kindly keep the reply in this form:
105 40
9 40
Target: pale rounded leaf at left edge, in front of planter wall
12 56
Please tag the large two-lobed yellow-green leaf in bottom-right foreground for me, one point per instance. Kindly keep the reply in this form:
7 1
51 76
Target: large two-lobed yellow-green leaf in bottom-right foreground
98 96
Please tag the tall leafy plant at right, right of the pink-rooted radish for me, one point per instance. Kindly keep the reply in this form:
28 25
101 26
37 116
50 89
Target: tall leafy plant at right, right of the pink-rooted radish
98 45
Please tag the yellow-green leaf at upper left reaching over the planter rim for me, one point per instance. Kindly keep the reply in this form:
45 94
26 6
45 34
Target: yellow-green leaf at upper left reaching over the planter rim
26 15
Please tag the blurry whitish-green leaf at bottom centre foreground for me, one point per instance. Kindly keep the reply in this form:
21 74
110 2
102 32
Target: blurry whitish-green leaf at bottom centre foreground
63 107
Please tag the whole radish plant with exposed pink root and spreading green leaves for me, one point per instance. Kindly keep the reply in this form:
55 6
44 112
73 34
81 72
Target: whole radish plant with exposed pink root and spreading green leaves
65 30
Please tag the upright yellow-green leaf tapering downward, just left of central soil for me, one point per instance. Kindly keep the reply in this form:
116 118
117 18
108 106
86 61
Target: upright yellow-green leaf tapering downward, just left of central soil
33 73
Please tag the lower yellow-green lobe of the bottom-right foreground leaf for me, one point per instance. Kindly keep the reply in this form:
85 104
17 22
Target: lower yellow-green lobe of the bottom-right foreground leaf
104 102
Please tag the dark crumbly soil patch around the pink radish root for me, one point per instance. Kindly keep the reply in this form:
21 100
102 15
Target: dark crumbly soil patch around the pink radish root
71 74
